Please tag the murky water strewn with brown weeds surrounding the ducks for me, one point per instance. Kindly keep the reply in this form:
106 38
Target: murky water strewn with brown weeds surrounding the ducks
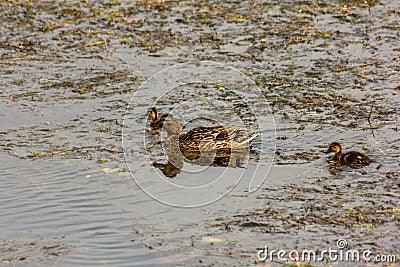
329 71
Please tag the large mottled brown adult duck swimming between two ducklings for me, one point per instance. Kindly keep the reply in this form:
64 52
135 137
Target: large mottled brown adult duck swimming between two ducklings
209 138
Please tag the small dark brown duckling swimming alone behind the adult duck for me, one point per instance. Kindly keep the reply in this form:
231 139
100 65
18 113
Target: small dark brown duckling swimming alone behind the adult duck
348 158
